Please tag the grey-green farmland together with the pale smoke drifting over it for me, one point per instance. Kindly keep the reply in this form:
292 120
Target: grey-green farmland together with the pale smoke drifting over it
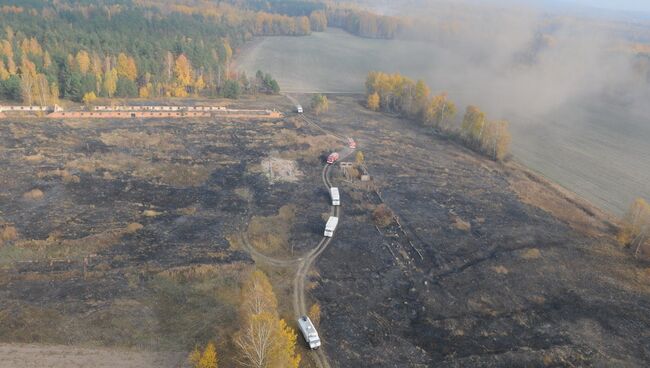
569 87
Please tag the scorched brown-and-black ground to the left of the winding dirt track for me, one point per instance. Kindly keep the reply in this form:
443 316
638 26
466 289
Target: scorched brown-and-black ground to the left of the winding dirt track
123 226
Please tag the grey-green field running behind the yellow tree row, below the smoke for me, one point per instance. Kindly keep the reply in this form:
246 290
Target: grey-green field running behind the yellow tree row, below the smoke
597 149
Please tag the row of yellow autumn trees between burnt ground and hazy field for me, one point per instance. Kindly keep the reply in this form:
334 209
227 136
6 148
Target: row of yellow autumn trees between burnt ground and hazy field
413 99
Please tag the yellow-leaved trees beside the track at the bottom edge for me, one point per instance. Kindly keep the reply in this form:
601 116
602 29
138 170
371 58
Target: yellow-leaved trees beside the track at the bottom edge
264 339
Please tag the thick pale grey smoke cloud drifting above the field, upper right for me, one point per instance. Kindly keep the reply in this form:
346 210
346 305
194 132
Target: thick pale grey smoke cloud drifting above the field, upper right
523 61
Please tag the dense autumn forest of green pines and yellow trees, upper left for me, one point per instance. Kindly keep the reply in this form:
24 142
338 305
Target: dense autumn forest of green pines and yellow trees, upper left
79 51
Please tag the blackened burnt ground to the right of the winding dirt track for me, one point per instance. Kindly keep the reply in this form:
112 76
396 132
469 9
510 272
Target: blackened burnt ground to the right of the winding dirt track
499 283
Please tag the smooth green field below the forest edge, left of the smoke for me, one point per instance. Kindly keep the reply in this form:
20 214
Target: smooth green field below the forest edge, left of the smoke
332 61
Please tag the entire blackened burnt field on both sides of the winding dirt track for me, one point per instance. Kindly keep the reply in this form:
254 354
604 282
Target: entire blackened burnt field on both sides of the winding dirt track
127 234
